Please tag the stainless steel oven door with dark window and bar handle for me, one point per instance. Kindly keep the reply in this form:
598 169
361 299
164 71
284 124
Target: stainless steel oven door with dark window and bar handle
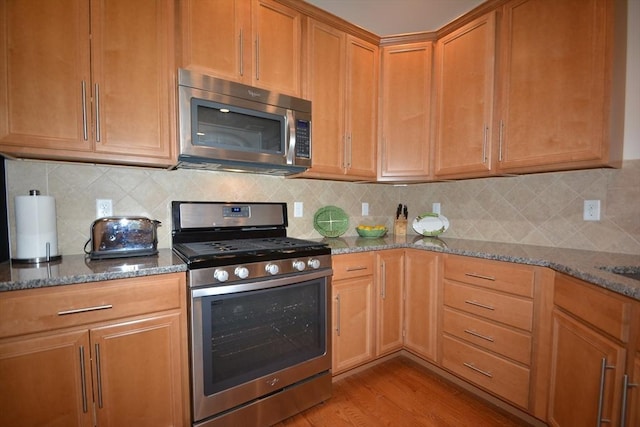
250 340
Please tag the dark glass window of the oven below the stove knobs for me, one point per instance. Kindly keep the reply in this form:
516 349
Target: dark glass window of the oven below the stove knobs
251 334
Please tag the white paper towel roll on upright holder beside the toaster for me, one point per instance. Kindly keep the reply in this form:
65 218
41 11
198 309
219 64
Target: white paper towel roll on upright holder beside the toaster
35 227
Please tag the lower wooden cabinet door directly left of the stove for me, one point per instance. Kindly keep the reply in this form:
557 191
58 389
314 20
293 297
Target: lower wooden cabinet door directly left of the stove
137 372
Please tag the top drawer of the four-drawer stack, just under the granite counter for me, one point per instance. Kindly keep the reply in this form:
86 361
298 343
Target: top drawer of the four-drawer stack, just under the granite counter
502 276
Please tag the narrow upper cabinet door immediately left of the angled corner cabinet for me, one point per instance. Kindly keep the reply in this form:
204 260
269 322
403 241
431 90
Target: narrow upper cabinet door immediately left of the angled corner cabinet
361 120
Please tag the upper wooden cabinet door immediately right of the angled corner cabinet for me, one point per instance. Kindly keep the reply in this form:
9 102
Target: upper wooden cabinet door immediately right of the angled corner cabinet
464 79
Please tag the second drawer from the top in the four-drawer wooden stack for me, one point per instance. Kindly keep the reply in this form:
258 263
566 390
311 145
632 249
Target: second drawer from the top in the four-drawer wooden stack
506 309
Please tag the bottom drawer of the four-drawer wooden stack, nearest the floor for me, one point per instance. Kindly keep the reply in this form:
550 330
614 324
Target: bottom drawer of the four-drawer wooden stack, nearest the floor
493 373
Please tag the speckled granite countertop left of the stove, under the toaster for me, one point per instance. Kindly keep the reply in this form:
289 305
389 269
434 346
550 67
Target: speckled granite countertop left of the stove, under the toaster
73 269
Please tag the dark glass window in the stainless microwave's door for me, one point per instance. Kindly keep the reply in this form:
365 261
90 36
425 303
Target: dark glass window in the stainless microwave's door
234 128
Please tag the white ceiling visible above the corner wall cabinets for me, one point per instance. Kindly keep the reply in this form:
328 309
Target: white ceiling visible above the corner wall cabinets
388 17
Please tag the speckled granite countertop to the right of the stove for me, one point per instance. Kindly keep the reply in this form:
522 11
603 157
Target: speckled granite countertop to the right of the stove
584 265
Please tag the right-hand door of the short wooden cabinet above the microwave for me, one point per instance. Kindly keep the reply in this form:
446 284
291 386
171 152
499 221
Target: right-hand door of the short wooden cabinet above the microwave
277 37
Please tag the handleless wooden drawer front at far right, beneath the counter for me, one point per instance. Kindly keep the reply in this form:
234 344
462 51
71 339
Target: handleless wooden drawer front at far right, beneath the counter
610 313
